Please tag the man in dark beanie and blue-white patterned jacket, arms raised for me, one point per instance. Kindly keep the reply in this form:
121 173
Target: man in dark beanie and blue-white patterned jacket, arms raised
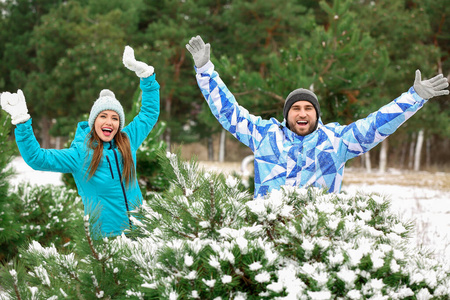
302 151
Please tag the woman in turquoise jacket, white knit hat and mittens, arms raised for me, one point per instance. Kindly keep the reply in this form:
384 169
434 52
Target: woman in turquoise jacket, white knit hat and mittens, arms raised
102 156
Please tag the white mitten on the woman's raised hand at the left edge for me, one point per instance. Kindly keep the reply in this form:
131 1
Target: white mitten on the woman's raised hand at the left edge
14 104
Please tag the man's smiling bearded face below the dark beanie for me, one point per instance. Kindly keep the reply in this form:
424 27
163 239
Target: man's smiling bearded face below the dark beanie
302 118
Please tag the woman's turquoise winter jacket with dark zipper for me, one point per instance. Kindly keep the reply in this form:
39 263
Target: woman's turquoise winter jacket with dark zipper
104 195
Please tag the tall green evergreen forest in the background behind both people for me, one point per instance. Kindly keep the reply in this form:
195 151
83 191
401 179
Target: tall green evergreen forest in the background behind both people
355 55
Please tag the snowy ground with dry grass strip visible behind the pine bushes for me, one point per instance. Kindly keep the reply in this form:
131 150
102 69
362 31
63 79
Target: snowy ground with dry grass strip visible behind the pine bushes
428 207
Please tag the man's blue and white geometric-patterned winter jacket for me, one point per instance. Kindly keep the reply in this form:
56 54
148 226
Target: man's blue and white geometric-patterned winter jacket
285 158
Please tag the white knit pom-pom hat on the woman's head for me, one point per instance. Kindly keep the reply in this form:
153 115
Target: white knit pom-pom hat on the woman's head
106 101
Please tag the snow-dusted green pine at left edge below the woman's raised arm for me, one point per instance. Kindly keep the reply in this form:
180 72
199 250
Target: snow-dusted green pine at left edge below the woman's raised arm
45 214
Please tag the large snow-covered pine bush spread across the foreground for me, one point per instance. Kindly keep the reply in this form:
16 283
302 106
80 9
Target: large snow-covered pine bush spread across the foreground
205 238
